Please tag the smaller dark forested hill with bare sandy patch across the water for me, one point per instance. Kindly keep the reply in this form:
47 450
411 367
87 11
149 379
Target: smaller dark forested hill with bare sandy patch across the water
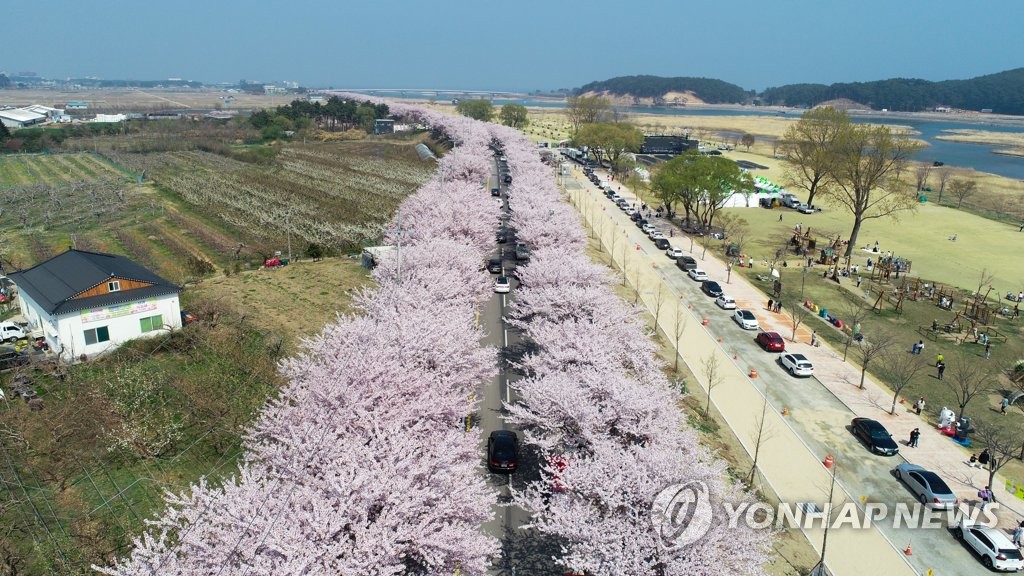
708 90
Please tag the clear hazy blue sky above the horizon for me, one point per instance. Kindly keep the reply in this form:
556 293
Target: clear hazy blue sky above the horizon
513 47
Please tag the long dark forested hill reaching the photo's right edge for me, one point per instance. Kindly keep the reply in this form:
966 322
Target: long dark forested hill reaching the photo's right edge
1001 93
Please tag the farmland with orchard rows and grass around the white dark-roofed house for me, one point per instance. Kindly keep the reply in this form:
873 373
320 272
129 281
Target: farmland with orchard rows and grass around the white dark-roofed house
158 415
